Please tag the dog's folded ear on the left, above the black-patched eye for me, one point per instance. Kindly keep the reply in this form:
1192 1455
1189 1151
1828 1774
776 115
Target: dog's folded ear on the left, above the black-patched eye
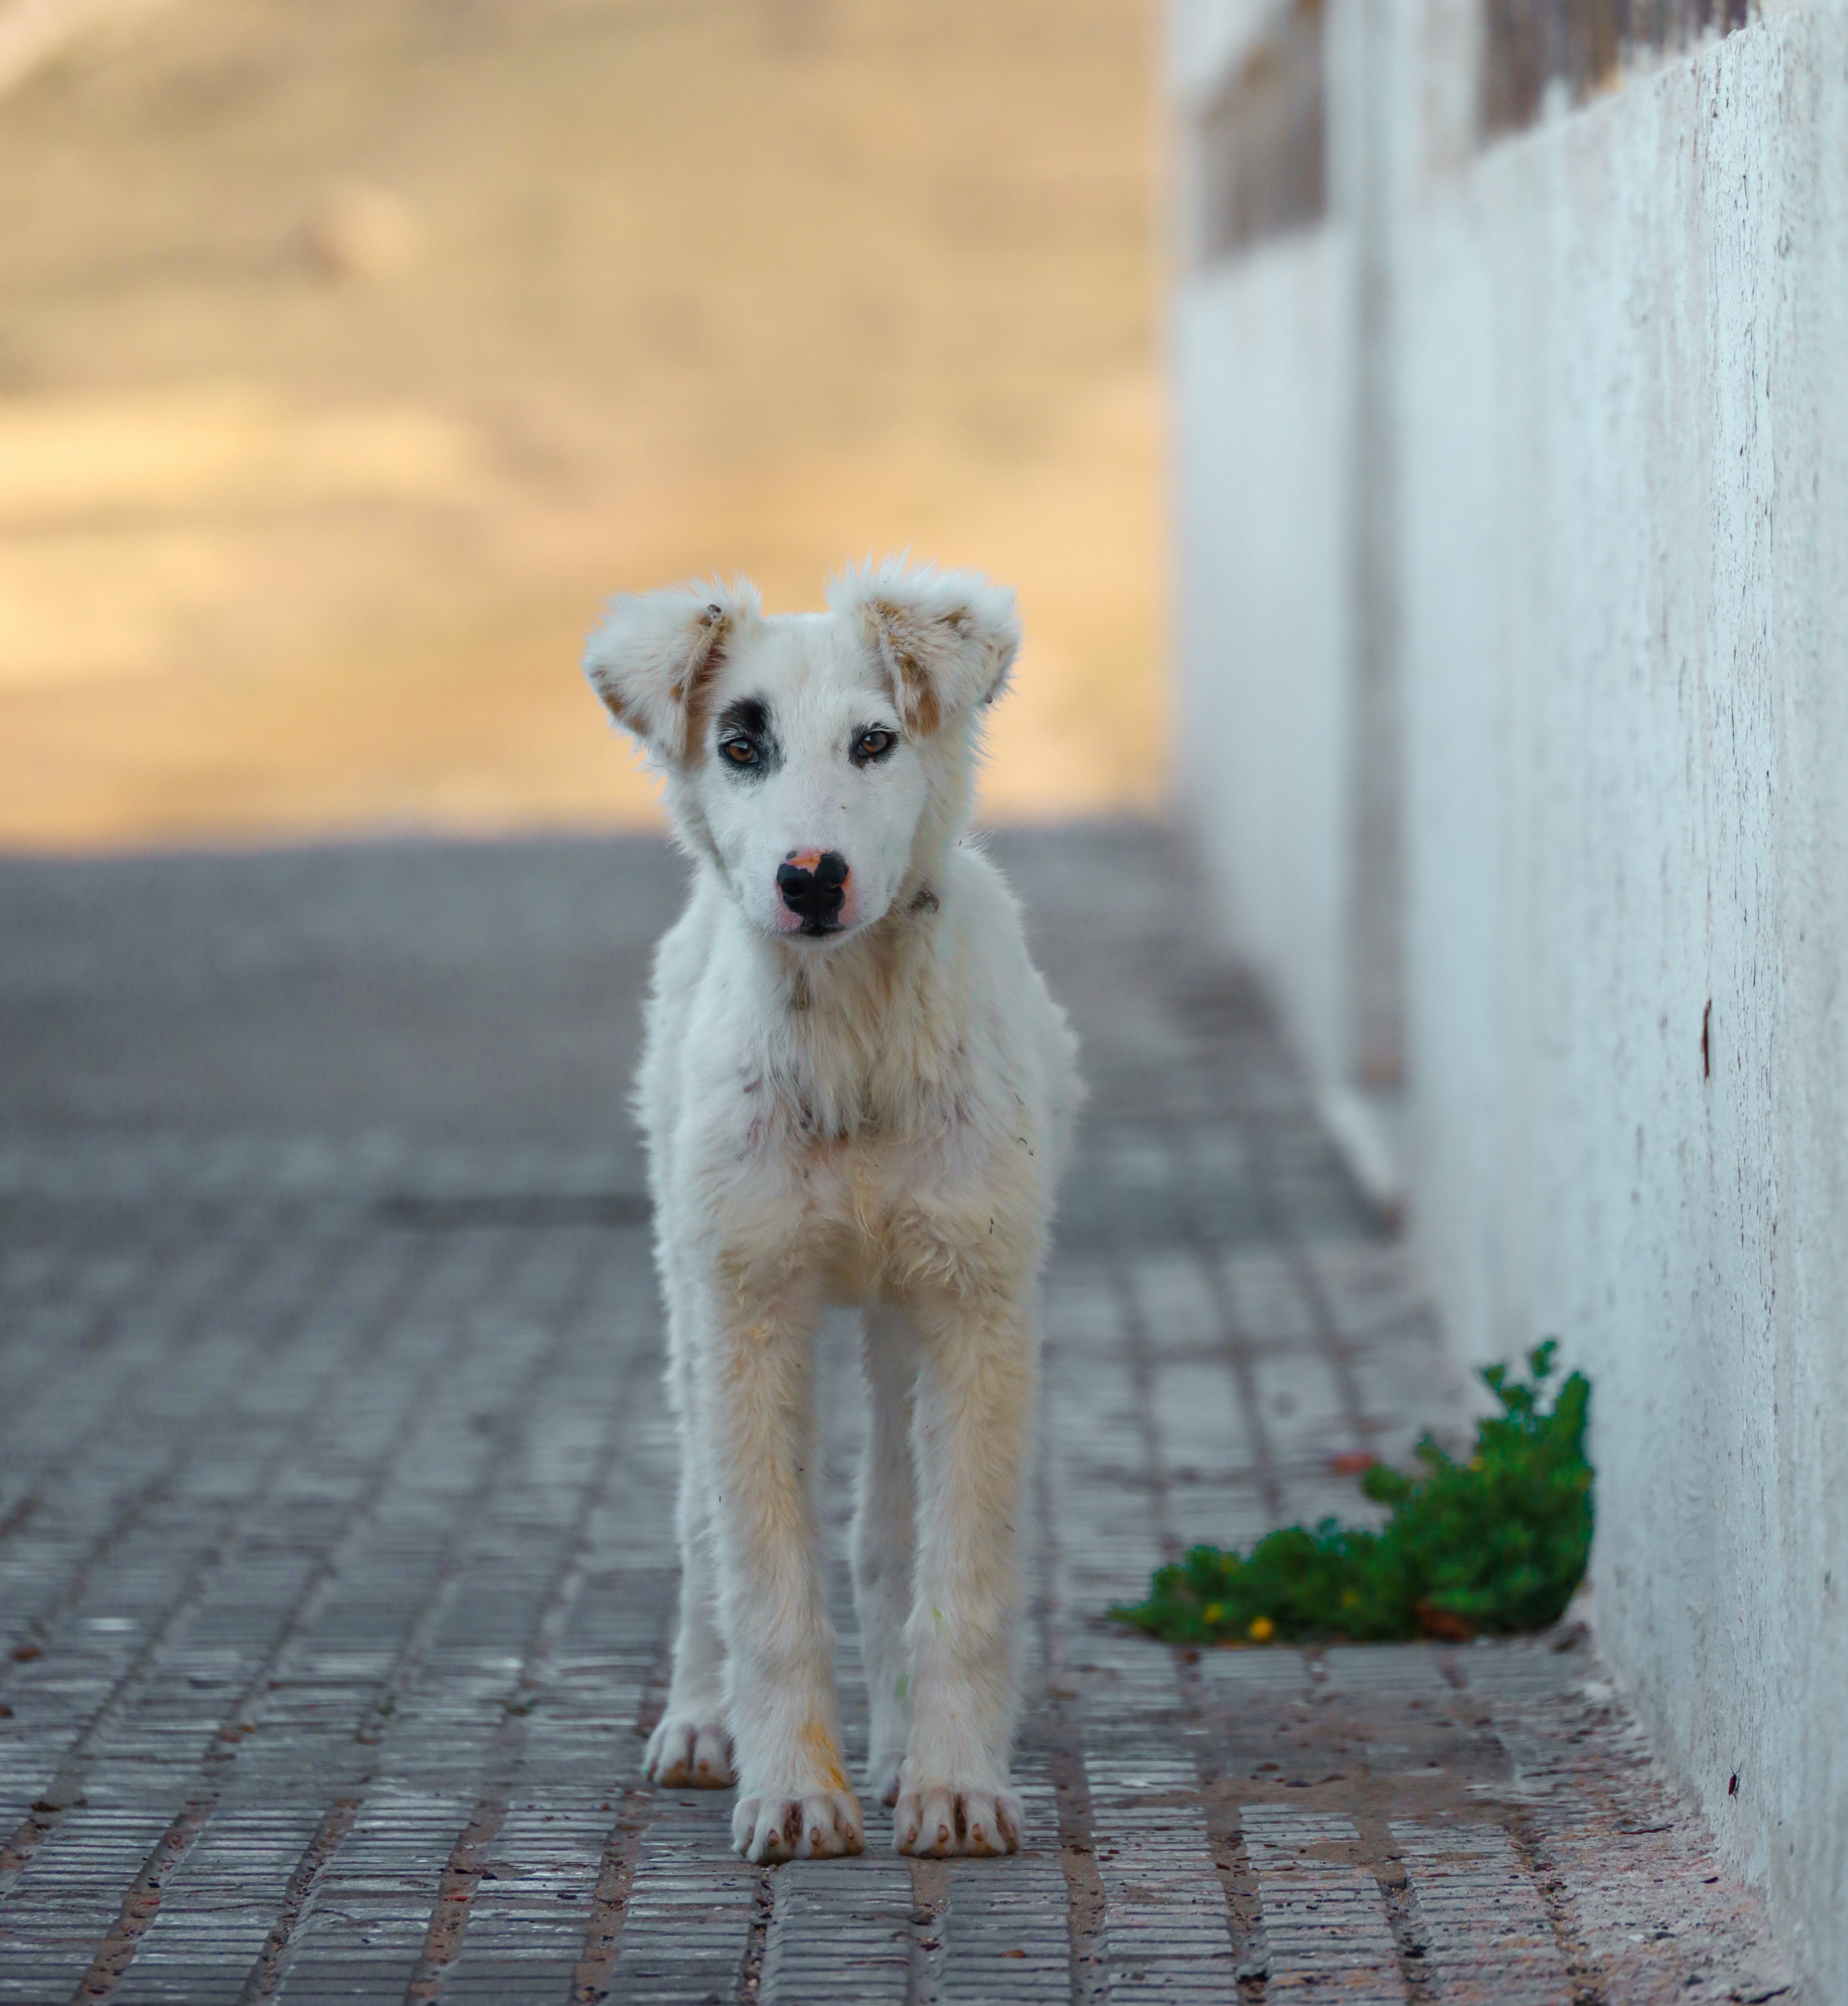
657 653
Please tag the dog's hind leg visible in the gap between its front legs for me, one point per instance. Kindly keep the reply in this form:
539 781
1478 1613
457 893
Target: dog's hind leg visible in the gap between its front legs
884 1570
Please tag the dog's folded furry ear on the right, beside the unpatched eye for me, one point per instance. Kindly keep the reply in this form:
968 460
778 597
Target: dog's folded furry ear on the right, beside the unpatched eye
946 639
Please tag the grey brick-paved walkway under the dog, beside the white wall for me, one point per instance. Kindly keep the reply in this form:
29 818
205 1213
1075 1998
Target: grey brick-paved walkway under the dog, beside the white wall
336 1552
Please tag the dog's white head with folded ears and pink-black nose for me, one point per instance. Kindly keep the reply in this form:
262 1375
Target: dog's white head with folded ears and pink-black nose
814 757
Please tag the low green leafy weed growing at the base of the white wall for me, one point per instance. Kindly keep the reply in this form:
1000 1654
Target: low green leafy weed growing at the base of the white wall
1480 1548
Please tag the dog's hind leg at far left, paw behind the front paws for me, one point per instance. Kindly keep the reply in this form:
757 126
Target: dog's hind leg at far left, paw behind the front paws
691 1746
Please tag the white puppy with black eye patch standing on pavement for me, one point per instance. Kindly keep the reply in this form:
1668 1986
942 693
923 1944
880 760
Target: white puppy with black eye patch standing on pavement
856 1090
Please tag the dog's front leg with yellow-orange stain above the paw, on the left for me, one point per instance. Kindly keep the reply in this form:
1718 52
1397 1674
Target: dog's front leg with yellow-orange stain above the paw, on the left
759 1415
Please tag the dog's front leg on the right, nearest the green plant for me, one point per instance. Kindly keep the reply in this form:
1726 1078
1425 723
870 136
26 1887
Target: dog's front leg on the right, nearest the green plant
970 1429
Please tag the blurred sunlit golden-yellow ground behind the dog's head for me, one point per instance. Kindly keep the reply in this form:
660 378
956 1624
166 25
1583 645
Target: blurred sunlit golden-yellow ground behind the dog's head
354 350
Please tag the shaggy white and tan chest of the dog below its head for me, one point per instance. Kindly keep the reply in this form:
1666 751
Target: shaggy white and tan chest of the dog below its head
860 1116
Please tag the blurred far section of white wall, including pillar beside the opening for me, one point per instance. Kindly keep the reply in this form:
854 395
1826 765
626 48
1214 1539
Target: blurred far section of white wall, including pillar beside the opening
1285 593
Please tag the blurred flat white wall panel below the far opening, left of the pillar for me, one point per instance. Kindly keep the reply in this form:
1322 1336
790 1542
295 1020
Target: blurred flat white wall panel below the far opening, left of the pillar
1263 384
